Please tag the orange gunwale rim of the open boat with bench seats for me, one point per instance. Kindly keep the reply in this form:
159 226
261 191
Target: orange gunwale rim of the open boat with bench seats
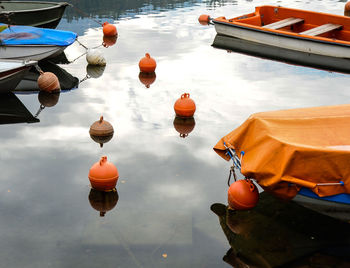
317 39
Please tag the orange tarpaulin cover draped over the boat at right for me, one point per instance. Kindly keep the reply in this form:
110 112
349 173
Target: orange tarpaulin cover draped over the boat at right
308 147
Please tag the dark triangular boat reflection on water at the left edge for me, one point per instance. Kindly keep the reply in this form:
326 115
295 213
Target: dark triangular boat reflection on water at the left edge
12 110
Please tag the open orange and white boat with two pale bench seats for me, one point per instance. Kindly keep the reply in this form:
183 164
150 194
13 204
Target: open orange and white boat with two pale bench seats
294 29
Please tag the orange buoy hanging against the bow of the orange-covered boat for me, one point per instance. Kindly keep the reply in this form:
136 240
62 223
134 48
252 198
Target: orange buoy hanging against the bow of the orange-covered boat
242 195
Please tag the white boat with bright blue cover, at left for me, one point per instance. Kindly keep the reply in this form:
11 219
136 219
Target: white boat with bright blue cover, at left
32 43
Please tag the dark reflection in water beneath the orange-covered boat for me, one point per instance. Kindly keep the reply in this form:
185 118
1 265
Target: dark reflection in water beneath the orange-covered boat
283 234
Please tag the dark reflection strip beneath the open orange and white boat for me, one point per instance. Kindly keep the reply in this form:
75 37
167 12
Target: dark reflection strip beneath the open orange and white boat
250 48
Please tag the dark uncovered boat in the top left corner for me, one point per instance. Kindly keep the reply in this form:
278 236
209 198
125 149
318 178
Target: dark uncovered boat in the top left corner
32 13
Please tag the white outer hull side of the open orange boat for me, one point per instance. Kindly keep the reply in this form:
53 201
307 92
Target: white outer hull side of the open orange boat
284 41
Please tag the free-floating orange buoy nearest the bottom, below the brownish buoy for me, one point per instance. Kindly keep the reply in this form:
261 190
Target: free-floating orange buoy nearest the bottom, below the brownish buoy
103 175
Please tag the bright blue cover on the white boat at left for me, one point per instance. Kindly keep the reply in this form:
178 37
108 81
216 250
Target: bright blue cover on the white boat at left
27 35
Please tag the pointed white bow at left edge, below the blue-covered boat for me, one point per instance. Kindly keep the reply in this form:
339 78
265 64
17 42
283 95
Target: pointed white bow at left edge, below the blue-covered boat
12 72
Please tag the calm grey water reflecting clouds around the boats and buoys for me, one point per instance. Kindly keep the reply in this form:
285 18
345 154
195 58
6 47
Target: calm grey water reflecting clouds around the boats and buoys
163 214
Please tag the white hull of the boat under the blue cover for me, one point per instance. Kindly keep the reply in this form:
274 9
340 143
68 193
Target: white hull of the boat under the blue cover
28 52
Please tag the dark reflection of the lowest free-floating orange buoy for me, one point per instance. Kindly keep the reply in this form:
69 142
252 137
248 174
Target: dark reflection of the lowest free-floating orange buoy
103 201
